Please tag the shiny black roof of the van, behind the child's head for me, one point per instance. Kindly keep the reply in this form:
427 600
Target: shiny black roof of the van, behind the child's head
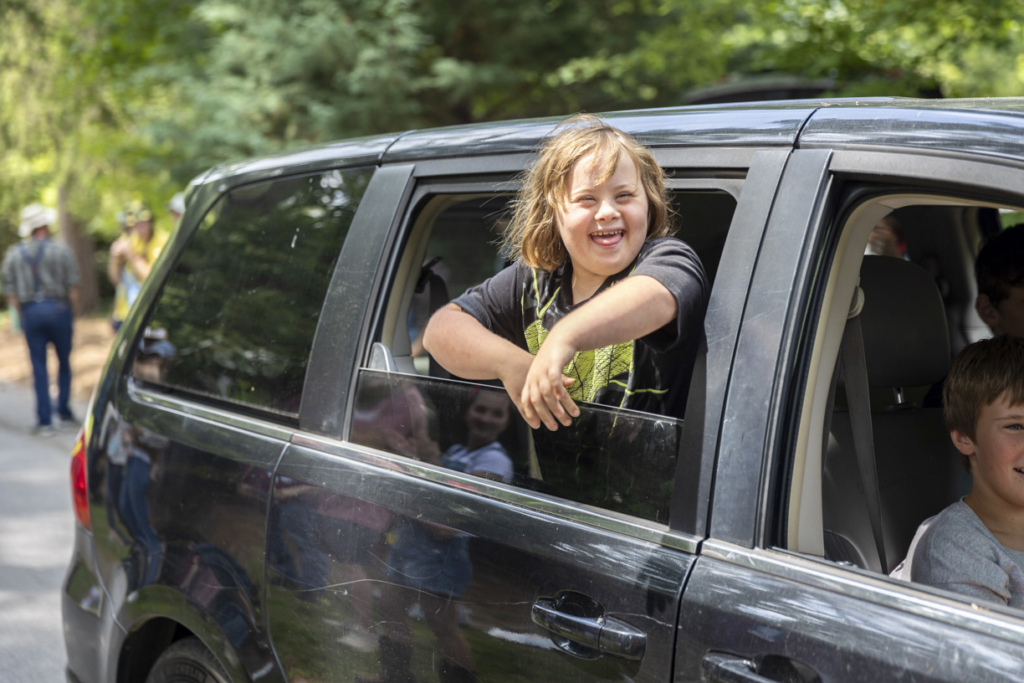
989 126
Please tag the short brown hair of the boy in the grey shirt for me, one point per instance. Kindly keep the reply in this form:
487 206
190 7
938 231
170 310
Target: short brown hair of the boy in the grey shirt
984 372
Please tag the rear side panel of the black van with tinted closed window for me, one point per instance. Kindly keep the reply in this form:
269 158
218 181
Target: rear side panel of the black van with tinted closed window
206 392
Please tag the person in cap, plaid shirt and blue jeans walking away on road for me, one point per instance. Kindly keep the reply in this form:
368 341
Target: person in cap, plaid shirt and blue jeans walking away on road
40 279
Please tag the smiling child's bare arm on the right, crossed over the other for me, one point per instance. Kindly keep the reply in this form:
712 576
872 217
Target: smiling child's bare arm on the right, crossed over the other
633 309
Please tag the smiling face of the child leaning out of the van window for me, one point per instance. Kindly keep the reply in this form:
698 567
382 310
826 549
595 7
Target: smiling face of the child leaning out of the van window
603 225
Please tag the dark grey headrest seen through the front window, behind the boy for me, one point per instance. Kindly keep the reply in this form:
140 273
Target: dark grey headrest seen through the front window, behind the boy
907 340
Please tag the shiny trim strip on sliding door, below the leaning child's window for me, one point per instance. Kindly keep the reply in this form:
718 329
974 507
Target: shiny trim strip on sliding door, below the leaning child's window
578 513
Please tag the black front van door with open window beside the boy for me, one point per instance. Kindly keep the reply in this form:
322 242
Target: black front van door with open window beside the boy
764 602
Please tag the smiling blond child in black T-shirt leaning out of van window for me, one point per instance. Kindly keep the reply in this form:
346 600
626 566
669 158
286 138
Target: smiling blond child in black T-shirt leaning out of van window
601 306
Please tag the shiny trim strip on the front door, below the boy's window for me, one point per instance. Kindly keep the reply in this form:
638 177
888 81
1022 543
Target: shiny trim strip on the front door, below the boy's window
862 585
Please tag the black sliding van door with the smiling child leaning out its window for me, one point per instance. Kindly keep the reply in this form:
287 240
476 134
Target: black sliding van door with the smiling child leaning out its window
386 564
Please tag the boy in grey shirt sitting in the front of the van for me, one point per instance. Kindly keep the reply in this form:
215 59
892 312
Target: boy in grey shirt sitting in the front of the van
976 546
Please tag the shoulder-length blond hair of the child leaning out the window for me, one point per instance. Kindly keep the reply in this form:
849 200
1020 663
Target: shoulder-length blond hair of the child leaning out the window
533 233
